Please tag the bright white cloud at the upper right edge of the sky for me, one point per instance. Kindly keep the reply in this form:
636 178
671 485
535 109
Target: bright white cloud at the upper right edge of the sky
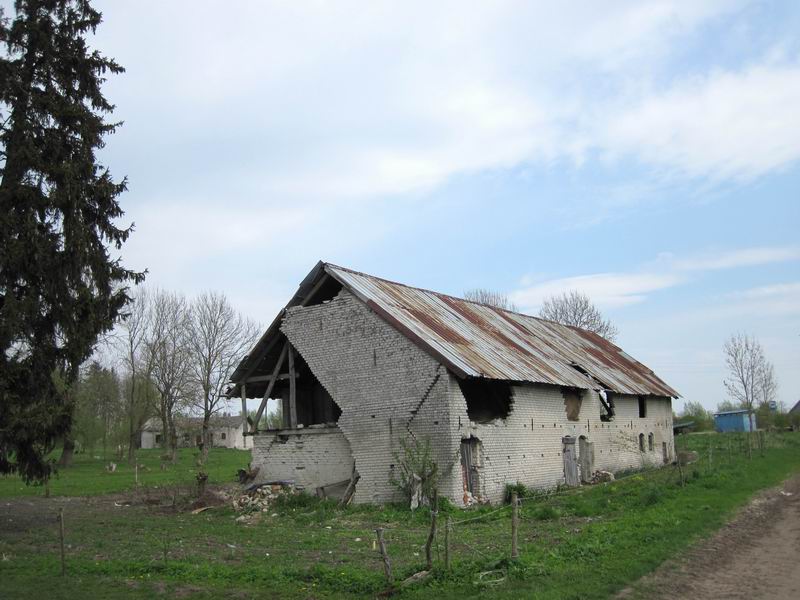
727 125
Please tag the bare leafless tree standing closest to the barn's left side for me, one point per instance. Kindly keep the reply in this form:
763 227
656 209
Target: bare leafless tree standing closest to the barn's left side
218 338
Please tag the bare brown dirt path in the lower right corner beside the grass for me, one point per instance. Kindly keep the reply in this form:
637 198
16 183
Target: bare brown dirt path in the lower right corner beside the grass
754 556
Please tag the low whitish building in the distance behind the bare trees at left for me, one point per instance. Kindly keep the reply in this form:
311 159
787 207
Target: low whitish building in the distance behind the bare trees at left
227 431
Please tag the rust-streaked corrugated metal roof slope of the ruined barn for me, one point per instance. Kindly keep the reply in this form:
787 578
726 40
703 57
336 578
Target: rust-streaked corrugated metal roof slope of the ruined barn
477 340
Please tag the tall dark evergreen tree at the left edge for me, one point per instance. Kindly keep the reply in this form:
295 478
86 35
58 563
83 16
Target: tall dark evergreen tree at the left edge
60 288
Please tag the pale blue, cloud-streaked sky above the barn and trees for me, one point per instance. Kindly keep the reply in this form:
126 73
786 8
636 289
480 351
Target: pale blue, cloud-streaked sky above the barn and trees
645 153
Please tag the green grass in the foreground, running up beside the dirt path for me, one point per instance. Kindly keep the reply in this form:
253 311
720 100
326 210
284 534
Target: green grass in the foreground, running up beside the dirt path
585 543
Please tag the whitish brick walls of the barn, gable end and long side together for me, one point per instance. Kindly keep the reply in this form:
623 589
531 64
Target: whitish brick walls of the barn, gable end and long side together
387 387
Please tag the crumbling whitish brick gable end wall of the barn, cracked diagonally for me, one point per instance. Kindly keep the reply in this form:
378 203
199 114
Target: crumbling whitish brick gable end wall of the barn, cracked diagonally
386 387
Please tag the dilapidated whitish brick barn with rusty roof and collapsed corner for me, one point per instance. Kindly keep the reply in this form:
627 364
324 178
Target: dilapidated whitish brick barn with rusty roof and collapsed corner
361 364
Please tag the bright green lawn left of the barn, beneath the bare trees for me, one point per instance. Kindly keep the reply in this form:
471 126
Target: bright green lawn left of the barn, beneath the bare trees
87 476
